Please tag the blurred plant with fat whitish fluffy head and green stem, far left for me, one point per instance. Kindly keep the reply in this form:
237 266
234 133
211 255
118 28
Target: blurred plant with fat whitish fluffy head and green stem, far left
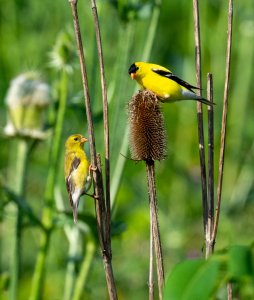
26 100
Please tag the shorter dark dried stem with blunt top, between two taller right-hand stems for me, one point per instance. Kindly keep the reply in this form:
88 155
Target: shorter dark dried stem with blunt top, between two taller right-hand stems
210 204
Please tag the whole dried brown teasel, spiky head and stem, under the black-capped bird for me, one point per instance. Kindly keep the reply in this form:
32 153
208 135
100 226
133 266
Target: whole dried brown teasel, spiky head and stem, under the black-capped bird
148 143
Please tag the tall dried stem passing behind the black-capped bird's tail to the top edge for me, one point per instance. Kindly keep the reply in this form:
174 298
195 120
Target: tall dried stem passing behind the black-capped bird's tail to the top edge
200 113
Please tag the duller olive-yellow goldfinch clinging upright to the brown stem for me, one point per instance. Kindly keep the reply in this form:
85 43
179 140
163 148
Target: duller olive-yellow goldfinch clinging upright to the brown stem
77 170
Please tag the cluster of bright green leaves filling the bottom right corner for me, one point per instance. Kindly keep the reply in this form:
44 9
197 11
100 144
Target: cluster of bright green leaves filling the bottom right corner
201 279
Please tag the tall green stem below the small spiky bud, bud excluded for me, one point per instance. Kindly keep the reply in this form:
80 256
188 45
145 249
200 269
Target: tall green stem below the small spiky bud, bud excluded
38 278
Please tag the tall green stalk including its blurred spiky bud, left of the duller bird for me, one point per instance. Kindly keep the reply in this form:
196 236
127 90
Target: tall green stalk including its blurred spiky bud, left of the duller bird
61 61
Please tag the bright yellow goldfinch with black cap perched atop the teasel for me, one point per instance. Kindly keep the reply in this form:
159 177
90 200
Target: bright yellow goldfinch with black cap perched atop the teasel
163 83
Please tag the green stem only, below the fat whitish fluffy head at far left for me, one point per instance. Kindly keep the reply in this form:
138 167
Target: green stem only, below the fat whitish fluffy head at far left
19 186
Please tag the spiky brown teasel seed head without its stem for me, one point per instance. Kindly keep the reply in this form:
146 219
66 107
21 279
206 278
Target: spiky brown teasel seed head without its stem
147 133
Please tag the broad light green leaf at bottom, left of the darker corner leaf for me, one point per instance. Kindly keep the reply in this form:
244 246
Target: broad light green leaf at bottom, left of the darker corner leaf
193 279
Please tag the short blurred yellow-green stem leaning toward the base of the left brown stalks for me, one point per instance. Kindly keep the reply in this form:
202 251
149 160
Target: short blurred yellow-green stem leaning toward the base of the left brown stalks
84 270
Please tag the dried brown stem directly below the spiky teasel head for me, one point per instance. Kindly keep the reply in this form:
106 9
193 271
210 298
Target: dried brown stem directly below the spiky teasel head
155 225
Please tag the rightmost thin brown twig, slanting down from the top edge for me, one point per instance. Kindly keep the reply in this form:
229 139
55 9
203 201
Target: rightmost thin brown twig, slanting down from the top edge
224 121
